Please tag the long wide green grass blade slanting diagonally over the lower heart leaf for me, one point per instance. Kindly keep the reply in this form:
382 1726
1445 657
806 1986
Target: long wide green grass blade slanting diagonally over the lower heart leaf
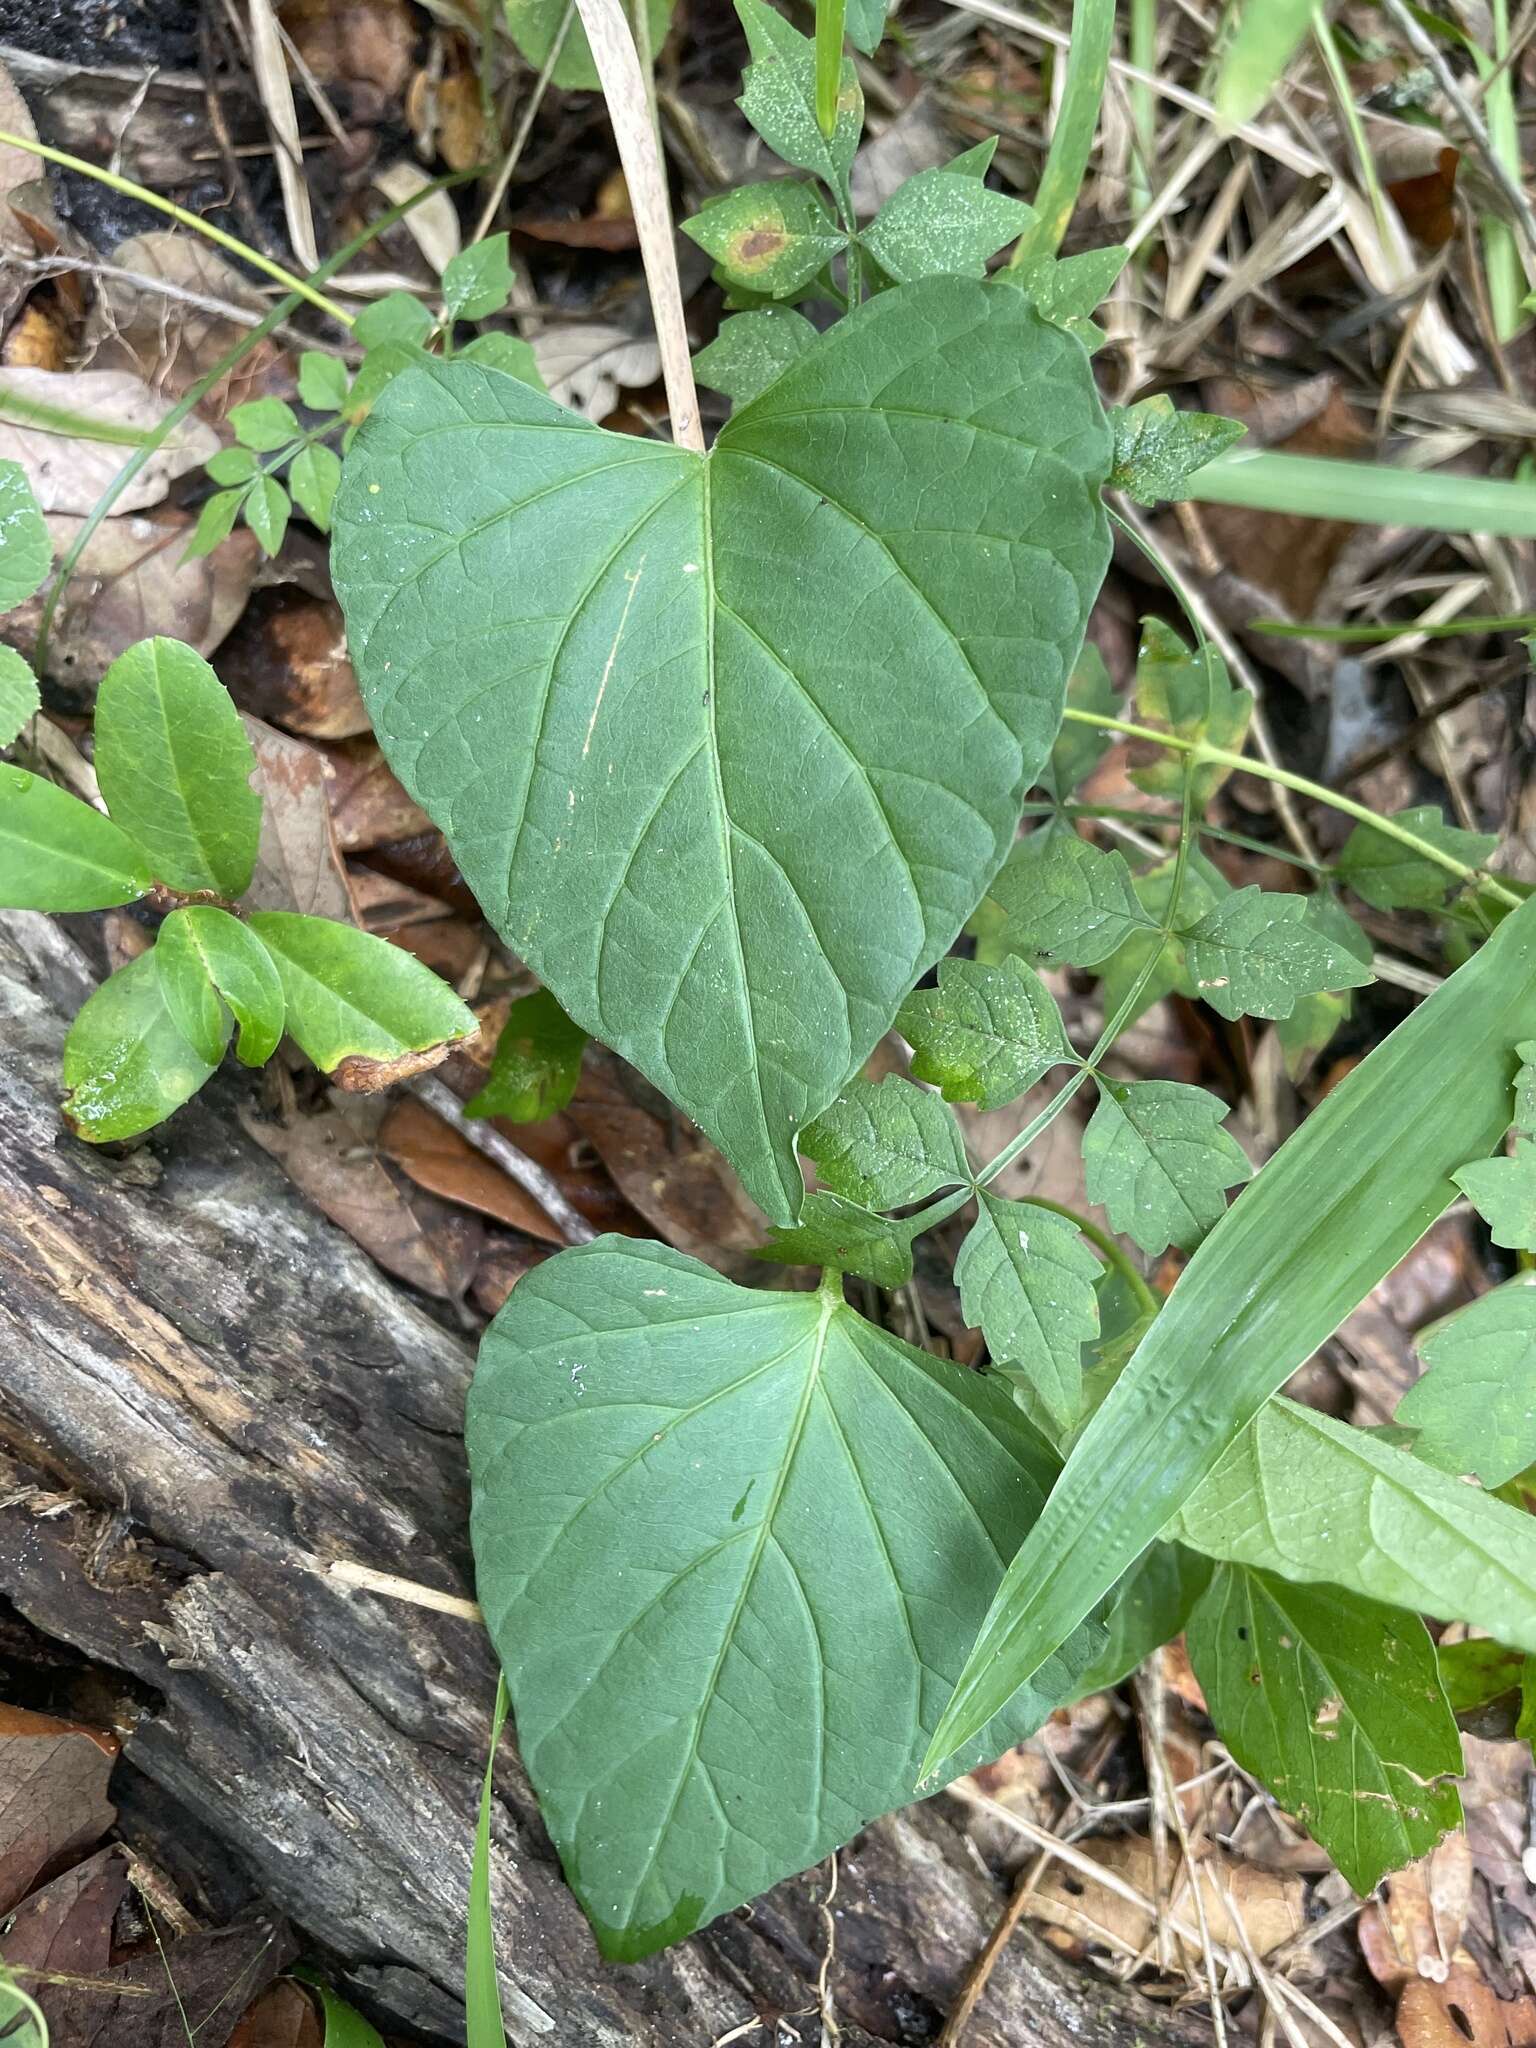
1283 1269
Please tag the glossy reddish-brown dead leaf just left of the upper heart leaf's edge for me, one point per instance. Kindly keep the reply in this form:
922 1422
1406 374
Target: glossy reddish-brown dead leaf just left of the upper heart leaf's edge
288 665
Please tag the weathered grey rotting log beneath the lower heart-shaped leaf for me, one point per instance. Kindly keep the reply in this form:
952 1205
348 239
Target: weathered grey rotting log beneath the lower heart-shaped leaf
228 1390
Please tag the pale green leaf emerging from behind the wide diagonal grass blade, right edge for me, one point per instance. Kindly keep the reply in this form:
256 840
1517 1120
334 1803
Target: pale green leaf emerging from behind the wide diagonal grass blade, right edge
1310 1498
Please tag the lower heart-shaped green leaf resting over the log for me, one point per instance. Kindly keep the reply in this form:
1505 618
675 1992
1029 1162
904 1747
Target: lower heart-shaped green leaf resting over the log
732 1547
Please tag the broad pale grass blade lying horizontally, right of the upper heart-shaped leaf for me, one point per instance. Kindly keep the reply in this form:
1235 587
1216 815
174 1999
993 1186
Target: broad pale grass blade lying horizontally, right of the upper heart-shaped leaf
1375 495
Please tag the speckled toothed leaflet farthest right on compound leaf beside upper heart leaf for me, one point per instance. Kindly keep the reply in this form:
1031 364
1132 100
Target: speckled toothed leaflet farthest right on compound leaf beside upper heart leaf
1256 953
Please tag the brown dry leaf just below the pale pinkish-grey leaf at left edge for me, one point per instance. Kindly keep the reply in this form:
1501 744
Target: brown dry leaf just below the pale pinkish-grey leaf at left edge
130 585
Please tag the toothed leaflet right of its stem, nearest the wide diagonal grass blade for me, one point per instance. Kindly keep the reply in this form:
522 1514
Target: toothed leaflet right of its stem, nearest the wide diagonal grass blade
1160 1164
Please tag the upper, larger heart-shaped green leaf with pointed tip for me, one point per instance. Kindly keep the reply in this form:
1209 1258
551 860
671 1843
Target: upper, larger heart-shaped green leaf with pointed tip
730 746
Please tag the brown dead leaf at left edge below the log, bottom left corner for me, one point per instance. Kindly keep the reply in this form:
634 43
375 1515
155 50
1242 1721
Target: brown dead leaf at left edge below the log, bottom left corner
52 1795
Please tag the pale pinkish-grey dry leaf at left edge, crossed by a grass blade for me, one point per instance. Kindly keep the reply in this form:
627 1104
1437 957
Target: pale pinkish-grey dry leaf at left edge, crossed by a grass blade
71 474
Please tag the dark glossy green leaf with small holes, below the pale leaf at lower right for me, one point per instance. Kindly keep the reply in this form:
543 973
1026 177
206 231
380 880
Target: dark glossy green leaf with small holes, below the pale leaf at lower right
1336 1707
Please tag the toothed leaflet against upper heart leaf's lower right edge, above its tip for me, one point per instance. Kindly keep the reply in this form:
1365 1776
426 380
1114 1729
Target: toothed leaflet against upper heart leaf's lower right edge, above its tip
986 1033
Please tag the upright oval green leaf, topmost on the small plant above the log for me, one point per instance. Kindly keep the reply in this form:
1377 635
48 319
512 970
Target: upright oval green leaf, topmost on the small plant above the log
175 767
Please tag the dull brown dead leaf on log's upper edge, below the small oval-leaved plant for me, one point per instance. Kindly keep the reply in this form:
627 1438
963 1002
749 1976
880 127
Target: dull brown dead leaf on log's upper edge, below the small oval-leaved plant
335 1160
